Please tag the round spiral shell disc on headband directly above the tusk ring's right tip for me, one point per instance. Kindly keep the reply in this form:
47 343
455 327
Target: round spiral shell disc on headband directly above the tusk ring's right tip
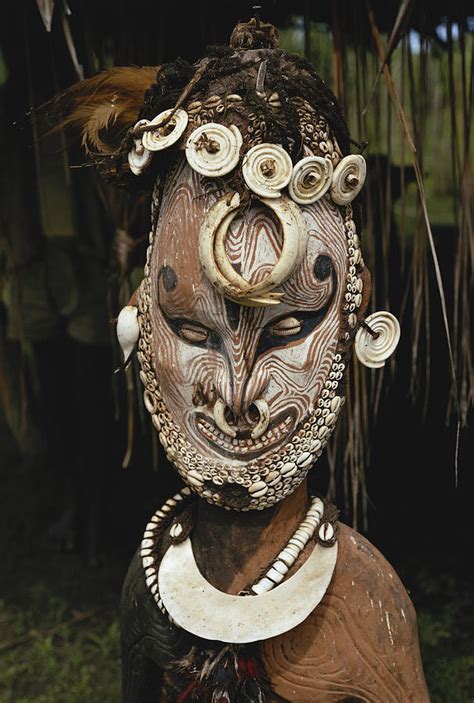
267 168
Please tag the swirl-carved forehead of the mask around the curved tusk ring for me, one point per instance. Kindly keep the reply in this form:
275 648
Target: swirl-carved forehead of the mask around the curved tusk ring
253 245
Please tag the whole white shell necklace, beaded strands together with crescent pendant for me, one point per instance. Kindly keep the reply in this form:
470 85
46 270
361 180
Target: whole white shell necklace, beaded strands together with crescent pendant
195 605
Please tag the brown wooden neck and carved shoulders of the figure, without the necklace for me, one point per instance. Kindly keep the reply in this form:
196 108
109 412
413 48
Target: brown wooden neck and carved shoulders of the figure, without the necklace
359 644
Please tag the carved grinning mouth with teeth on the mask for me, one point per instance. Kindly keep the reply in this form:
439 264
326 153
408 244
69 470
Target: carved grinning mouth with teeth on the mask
243 446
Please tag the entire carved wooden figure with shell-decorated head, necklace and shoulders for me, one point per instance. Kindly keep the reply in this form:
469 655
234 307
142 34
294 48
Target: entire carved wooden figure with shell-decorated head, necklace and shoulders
255 289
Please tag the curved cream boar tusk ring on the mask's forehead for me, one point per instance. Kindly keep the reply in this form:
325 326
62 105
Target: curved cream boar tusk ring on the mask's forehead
219 270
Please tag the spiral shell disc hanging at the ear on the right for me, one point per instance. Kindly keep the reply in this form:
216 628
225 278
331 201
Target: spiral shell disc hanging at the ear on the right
375 345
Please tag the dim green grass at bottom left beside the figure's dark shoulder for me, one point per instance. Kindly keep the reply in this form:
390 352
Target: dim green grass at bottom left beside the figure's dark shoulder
63 661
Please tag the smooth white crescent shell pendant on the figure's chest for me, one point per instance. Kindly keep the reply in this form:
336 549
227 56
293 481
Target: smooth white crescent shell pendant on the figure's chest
196 606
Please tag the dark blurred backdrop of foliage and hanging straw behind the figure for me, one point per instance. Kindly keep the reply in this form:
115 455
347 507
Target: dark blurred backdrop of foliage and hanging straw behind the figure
80 469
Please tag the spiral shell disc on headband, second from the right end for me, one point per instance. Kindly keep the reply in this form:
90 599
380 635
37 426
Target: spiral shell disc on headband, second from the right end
311 179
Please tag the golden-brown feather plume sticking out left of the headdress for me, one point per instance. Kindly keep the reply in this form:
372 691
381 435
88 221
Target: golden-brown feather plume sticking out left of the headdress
103 108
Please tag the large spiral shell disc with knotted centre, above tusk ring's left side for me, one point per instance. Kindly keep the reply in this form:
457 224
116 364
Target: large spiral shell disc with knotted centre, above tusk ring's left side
214 149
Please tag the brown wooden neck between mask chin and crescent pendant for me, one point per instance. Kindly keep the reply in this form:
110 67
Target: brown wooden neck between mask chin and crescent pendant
232 548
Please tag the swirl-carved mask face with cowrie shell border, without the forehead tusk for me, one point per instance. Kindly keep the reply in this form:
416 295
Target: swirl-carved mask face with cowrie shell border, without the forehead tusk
244 397
